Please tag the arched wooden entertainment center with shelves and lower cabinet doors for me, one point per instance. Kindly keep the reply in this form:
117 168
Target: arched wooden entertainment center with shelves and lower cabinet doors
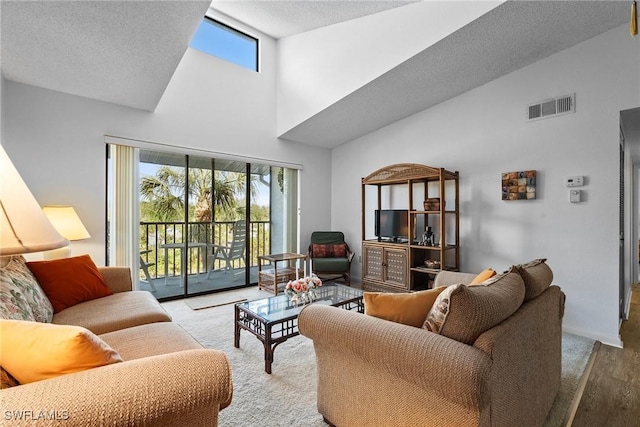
398 265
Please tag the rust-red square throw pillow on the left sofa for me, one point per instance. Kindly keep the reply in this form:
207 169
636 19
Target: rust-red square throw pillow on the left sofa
69 281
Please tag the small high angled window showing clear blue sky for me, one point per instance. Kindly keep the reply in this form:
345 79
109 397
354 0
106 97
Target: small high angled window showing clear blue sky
223 42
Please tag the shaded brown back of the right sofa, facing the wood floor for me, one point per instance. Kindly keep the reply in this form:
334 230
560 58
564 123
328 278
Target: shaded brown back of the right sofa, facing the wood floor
526 349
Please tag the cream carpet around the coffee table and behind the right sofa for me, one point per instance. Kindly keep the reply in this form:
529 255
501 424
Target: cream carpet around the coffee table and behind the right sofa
287 397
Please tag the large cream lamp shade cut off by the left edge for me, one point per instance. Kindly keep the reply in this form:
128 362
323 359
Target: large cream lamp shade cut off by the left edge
24 227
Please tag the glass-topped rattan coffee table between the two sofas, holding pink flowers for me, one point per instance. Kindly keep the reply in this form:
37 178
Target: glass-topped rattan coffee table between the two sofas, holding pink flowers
274 320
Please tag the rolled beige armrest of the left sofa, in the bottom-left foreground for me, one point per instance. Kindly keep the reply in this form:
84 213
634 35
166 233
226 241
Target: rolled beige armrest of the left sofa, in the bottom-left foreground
183 388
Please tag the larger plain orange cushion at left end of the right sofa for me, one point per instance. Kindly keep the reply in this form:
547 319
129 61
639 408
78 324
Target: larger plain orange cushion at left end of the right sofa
406 308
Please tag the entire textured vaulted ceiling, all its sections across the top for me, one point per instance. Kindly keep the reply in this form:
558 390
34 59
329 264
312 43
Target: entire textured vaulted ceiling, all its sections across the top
125 52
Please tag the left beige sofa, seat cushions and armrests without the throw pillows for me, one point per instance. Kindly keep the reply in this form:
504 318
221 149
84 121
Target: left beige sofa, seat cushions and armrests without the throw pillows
167 378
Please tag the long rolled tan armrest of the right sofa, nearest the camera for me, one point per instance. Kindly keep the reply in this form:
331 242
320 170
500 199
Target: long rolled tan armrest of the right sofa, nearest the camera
456 371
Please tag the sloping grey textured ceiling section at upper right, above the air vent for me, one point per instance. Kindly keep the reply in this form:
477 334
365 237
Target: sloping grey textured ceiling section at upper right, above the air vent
507 38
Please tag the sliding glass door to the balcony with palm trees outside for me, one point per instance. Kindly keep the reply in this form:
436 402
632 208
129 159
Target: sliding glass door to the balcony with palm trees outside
203 221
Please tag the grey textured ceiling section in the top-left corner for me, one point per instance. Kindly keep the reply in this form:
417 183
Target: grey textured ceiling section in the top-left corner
123 52
